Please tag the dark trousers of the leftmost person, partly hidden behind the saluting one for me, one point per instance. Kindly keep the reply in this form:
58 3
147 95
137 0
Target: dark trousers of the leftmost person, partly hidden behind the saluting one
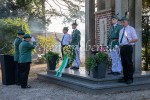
17 73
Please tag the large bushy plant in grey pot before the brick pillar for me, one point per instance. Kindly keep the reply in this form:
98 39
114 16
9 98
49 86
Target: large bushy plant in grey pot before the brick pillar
97 65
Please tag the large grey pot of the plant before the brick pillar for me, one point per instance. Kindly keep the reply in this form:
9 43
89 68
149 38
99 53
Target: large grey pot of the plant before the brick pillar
99 71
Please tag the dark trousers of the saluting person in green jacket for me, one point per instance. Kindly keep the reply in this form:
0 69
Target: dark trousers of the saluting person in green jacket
24 68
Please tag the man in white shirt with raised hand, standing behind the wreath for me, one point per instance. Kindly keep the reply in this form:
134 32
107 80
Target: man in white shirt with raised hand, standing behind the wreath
65 39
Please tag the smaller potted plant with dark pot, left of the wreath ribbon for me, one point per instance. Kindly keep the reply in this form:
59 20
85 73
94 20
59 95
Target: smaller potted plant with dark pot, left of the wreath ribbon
52 59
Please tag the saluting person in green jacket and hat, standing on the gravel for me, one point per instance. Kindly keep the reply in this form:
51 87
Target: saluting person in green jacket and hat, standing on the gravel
25 59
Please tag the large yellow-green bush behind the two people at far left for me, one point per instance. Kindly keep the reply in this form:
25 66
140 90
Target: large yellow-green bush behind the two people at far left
8 31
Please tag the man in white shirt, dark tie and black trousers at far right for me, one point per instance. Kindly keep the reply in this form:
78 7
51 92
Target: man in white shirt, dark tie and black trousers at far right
127 38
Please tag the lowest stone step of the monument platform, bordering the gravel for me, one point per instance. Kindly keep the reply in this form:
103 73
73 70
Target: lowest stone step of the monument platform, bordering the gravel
95 88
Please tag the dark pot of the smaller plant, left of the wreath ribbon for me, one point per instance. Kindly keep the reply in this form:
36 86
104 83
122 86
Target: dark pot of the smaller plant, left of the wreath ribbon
51 64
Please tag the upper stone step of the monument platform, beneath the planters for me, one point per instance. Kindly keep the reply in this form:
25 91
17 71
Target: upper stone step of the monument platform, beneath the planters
106 80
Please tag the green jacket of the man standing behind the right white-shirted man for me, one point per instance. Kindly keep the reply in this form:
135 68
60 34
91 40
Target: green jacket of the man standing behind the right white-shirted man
113 36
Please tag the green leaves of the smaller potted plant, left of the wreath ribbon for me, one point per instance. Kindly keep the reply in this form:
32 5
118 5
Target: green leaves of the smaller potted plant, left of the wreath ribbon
50 55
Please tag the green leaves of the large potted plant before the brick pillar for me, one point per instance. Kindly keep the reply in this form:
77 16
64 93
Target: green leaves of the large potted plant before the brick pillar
95 60
